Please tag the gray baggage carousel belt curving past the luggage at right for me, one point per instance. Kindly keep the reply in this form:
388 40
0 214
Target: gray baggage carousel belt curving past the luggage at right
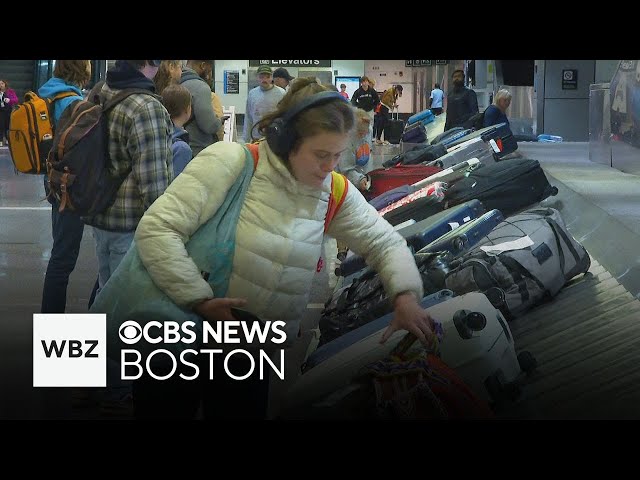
587 339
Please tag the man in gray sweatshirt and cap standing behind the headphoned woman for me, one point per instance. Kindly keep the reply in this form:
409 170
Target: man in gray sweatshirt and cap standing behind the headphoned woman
261 100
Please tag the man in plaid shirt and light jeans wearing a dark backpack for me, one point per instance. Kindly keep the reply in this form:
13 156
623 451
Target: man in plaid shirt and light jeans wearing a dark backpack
139 142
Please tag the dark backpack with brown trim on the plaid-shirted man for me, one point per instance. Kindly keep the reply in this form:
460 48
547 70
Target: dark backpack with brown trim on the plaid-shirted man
78 164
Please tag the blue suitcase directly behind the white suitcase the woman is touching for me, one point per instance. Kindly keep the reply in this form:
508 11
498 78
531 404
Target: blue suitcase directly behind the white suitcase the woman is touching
328 350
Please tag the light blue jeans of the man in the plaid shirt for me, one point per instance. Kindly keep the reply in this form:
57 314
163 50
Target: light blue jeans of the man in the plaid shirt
111 248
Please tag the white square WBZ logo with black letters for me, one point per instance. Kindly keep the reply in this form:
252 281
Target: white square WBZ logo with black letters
69 350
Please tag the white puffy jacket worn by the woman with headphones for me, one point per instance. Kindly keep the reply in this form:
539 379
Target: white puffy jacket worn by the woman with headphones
278 238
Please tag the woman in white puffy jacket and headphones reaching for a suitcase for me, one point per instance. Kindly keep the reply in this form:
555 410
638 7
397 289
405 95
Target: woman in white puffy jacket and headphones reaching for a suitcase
279 238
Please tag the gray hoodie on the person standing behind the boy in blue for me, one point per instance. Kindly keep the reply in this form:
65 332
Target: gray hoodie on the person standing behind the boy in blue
204 124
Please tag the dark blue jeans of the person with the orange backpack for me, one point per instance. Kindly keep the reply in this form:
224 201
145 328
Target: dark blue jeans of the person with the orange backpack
67 229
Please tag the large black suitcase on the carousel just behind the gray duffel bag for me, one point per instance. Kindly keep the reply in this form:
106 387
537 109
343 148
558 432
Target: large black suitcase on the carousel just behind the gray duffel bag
509 186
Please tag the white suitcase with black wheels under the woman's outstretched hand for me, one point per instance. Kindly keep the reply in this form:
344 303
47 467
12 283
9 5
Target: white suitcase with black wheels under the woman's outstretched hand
477 344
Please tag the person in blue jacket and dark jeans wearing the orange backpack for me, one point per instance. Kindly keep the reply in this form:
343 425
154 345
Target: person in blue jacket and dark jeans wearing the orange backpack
69 76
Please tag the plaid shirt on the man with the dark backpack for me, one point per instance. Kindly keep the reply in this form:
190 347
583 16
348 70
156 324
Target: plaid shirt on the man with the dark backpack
139 139
